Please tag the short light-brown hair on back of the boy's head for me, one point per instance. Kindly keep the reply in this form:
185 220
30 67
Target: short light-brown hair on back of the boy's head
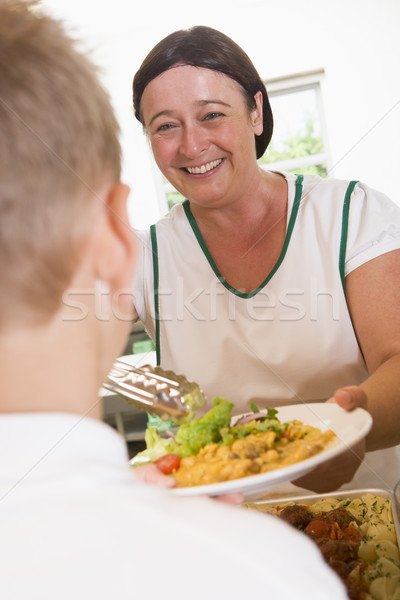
59 145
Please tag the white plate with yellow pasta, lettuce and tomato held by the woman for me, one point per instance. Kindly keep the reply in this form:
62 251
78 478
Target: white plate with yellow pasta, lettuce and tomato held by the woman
220 454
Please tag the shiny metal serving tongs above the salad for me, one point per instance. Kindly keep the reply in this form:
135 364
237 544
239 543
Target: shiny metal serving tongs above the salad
152 389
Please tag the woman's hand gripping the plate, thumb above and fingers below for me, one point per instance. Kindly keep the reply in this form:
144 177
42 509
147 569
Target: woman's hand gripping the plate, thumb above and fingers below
329 476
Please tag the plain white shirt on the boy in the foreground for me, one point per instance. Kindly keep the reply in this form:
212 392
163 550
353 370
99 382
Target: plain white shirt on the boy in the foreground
76 523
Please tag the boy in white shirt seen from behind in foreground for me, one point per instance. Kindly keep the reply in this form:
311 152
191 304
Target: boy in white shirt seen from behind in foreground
75 522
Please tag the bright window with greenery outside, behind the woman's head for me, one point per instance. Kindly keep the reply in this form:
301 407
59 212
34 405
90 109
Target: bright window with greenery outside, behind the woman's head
299 142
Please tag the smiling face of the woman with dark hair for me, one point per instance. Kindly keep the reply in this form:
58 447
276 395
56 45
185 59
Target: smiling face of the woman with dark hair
201 133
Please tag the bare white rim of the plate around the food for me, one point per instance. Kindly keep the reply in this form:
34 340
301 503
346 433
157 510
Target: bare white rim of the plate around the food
350 428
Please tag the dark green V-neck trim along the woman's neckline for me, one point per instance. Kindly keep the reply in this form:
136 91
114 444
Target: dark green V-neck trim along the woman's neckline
199 237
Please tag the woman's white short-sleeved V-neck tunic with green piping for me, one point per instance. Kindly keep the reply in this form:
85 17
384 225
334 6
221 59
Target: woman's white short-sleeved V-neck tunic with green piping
292 339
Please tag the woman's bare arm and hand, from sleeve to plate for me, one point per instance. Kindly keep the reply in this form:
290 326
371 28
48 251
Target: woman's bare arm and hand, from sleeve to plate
373 297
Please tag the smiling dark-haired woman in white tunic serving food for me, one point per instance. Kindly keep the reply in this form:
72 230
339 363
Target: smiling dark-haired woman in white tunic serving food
262 286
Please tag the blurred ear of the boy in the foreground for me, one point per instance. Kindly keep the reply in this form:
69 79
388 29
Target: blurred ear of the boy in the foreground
115 243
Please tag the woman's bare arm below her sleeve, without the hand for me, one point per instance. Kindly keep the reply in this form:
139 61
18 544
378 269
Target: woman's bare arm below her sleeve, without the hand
373 298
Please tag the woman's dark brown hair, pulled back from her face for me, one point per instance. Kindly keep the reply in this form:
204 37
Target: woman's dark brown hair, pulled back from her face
210 49
